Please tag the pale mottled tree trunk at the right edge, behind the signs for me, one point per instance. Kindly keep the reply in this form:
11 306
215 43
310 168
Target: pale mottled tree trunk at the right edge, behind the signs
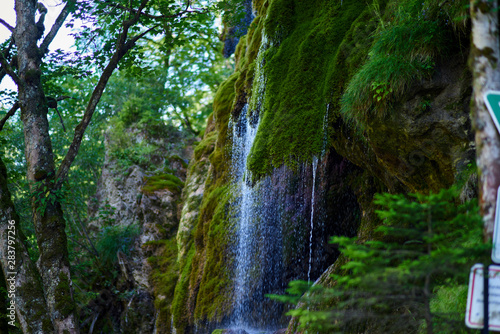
484 62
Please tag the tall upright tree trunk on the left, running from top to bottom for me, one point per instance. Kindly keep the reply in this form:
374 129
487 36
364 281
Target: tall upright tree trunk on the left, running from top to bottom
47 213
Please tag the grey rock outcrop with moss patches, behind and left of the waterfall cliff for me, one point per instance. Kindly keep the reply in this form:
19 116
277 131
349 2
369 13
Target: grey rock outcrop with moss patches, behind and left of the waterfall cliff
137 197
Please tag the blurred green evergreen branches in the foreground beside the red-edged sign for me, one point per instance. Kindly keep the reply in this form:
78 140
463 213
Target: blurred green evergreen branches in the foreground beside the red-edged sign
407 278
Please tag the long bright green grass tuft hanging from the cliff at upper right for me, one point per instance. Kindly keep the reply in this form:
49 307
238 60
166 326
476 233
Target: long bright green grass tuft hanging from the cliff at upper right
410 38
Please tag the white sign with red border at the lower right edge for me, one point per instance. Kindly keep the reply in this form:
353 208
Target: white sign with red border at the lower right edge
474 316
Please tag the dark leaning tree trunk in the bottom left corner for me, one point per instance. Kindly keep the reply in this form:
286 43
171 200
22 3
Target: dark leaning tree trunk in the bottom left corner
29 298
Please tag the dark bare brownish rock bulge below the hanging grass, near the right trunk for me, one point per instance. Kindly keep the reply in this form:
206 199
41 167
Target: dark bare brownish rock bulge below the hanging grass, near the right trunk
431 131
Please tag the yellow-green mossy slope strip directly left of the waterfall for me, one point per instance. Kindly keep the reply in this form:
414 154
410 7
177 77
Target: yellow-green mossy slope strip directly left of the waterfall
202 270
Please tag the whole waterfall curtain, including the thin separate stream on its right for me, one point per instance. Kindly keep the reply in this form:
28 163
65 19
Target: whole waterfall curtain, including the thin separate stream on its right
271 228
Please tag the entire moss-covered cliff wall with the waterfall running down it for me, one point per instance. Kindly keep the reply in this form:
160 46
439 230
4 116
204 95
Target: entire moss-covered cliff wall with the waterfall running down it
319 124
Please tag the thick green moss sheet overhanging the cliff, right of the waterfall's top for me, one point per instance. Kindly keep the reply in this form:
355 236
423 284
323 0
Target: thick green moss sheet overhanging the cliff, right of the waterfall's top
301 61
